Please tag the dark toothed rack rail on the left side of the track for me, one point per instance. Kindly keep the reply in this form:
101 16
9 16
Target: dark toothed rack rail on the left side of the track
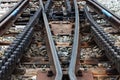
16 49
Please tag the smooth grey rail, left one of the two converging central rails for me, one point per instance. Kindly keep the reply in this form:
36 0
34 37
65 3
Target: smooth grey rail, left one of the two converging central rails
52 46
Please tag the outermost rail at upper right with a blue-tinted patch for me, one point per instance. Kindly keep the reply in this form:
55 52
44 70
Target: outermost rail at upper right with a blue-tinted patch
102 10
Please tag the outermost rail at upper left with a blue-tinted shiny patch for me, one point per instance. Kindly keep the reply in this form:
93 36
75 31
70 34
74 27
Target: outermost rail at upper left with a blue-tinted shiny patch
9 19
